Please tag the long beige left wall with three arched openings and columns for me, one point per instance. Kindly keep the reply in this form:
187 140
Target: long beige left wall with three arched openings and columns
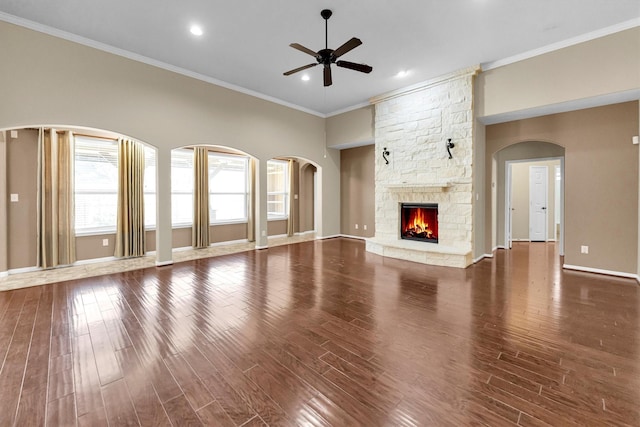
82 86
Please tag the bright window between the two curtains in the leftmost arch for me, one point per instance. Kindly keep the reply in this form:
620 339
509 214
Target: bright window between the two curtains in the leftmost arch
96 185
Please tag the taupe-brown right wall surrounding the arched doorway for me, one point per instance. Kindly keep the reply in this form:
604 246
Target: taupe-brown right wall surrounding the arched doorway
601 180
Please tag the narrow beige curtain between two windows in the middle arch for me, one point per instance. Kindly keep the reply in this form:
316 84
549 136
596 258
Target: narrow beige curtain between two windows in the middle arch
200 230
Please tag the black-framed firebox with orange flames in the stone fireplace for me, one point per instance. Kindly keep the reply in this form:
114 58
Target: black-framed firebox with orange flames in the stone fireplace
419 222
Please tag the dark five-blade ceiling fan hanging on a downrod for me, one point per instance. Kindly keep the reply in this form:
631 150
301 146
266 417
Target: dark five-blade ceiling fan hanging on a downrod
327 56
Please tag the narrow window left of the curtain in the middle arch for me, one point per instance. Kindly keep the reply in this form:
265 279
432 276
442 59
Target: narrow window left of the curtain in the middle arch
182 187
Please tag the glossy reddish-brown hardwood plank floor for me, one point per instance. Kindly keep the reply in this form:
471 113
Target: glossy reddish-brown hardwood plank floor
324 333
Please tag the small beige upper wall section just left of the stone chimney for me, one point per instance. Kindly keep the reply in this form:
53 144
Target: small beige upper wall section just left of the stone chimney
351 129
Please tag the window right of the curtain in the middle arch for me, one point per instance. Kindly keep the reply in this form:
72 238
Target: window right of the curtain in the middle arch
228 188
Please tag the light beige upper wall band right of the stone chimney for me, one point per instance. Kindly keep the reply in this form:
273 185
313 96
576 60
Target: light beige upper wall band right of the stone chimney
604 66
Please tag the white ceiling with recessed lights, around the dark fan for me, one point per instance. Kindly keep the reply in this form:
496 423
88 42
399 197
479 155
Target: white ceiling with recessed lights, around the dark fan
246 43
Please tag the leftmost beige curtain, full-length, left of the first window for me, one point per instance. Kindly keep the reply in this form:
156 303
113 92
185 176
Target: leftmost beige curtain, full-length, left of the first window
55 208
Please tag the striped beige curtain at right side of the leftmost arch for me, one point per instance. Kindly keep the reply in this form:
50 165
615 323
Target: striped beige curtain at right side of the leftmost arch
130 234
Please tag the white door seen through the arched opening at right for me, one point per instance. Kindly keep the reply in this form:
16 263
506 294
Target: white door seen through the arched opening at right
538 203
